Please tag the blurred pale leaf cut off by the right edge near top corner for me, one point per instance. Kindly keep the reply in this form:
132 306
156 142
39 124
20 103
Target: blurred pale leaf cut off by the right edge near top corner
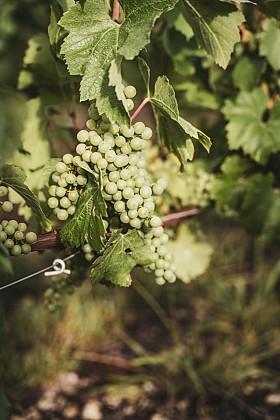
270 42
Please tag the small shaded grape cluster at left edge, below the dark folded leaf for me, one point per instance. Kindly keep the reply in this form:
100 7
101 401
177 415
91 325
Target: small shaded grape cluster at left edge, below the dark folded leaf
14 237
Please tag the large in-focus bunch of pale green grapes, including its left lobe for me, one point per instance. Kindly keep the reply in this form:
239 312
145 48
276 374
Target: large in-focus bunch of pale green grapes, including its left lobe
115 153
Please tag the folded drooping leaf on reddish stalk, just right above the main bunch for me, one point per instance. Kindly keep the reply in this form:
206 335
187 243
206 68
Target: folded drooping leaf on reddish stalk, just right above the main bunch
175 132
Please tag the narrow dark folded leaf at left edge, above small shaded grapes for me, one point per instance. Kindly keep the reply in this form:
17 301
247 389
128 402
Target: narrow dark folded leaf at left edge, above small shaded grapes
14 177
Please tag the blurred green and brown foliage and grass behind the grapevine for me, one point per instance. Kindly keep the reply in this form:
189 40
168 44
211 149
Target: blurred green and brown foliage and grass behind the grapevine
216 331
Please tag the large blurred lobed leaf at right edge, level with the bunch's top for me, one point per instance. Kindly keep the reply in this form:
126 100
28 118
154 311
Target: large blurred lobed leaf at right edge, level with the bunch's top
247 129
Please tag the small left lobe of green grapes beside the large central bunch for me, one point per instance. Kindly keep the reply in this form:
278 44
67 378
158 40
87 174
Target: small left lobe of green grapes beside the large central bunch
69 181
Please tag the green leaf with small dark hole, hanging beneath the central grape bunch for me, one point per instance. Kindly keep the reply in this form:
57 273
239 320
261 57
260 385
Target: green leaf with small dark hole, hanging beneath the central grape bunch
121 253
